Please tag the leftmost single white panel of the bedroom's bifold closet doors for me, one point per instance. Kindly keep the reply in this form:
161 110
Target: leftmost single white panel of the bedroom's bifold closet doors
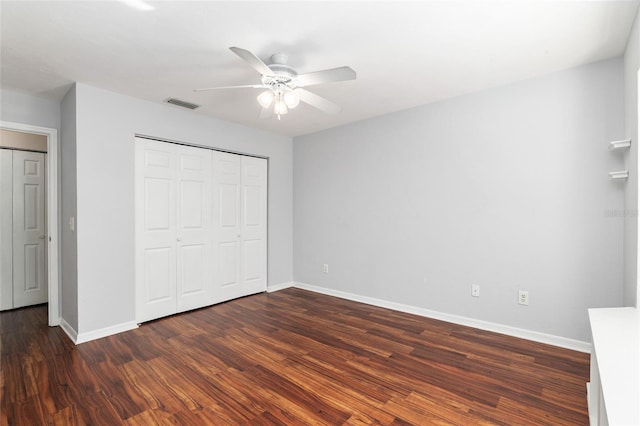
156 243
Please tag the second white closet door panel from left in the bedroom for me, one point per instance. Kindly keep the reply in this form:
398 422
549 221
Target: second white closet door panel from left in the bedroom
194 235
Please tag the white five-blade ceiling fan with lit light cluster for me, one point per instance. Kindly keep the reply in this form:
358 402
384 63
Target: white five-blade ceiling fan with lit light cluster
284 86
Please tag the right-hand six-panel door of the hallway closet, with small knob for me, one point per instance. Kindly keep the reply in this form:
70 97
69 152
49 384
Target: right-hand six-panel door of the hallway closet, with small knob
29 229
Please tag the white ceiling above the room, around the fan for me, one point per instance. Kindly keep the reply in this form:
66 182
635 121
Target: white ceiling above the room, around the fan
405 53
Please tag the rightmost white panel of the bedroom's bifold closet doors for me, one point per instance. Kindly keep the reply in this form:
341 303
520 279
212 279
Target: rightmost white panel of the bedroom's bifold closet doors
253 235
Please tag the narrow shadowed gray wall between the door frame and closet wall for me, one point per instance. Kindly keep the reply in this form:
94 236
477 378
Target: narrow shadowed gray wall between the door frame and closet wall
68 286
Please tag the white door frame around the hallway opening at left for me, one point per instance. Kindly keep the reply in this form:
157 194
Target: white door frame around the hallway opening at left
53 266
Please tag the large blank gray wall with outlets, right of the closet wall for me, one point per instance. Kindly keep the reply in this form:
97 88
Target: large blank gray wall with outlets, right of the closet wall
506 188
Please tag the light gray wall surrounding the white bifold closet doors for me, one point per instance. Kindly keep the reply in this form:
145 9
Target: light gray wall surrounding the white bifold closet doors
106 123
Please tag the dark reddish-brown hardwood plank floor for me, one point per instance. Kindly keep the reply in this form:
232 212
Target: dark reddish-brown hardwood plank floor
290 357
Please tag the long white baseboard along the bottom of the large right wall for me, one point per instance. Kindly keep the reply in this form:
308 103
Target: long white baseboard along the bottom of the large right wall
535 336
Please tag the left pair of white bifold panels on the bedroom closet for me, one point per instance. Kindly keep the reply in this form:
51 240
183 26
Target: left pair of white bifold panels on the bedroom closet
173 229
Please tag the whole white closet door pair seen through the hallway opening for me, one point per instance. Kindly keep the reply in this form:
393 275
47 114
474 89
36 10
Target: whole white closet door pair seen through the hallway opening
23 246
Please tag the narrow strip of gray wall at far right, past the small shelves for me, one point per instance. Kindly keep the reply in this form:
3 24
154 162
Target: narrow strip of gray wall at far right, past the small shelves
631 66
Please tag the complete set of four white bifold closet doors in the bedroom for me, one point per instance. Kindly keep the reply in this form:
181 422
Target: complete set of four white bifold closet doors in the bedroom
200 227
